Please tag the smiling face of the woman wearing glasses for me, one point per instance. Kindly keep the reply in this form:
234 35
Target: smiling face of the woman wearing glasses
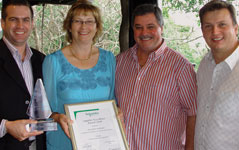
83 27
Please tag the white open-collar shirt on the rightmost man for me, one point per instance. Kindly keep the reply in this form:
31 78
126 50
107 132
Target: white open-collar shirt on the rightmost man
218 104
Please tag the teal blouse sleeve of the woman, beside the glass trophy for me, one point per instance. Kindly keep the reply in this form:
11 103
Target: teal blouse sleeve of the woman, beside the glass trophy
49 77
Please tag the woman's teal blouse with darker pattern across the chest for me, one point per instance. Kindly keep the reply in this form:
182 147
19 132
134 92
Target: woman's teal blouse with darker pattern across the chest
67 84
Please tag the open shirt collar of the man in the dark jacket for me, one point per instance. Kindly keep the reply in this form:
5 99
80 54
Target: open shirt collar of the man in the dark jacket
14 50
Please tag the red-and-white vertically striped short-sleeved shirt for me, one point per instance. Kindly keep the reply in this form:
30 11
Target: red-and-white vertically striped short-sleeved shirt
155 99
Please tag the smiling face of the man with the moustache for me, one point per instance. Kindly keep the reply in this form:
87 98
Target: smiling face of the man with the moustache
147 33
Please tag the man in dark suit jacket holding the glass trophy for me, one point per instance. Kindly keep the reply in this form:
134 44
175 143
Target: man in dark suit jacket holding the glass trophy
20 67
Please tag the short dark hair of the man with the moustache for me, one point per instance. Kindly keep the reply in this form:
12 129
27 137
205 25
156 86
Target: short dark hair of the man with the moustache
146 9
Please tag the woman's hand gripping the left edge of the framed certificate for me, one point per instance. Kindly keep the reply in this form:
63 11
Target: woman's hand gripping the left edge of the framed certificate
64 122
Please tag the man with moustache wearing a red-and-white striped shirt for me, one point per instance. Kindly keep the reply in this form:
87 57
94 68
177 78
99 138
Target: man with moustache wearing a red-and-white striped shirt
155 87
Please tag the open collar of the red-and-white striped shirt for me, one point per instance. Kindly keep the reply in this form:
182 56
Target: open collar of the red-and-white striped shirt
155 54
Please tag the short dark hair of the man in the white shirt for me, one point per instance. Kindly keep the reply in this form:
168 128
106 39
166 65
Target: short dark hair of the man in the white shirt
217 5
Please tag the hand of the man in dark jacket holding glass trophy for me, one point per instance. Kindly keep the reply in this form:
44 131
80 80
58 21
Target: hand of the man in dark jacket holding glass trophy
18 129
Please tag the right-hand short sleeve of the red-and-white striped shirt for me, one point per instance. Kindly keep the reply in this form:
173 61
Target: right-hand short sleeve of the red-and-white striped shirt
188 89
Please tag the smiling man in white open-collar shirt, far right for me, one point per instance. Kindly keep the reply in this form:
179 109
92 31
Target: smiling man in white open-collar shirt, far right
218 80
